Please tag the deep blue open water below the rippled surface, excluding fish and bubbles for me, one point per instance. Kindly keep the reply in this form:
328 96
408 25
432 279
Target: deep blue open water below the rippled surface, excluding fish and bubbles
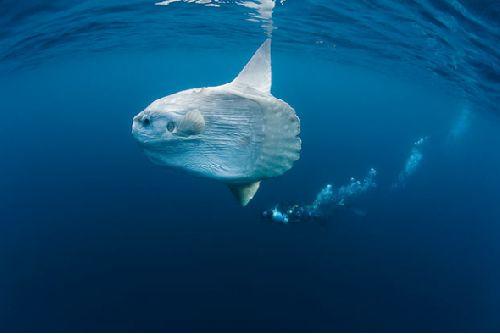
93 237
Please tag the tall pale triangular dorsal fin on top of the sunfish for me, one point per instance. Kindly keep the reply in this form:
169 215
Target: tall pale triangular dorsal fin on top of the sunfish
257 72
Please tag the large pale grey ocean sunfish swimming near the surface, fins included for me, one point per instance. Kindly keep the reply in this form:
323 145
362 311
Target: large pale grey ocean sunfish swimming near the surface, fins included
237 133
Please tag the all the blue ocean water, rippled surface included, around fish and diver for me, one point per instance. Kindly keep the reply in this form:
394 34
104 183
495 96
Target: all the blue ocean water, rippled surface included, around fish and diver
94 237
